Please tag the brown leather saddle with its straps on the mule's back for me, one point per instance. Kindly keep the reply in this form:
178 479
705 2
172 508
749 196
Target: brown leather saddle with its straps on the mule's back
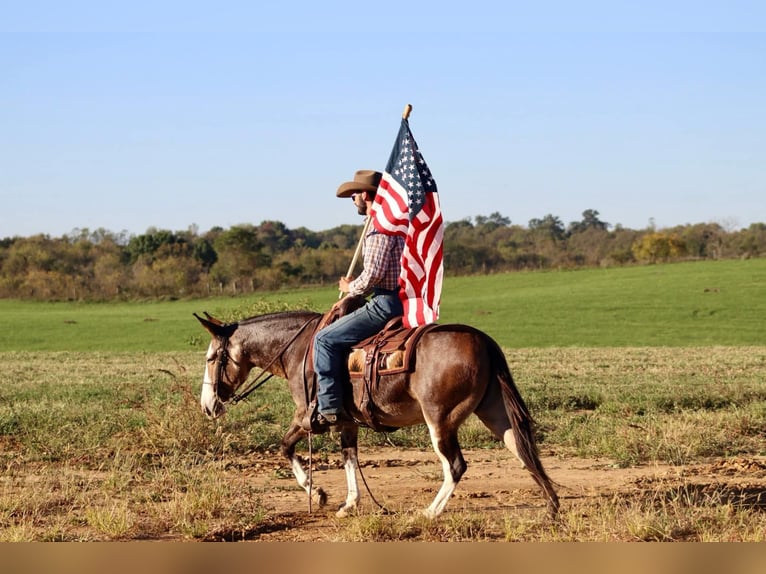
389 352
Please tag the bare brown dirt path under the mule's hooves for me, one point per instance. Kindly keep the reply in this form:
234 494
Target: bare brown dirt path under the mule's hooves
406 480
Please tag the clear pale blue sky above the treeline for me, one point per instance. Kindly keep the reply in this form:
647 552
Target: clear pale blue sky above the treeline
127 116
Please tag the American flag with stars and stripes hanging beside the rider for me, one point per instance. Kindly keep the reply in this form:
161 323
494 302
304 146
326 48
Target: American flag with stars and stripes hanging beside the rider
407 204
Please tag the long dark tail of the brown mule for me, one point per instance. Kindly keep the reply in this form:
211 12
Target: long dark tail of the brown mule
522 425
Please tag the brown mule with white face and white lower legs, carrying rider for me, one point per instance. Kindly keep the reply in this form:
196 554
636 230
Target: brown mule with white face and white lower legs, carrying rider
458 370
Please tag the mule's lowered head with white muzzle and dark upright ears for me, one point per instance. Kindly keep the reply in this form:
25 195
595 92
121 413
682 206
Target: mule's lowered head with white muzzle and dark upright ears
225 368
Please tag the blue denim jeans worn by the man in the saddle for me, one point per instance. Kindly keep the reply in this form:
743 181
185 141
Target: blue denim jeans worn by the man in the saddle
332 344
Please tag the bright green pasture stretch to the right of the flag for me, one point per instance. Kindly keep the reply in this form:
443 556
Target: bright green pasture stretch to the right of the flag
685 304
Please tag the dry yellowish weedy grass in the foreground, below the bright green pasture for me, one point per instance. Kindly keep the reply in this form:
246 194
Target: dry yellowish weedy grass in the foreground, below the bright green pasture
114 447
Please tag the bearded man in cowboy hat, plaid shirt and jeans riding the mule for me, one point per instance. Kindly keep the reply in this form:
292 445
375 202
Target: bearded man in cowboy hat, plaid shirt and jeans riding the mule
379 278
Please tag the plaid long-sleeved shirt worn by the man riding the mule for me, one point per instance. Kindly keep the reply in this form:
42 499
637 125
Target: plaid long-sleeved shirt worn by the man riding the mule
382 263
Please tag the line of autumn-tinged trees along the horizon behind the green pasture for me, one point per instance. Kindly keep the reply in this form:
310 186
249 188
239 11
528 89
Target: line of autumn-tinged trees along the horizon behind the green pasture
101 265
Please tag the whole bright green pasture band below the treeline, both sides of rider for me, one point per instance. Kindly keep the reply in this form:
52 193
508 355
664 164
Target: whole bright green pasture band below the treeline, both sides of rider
685 304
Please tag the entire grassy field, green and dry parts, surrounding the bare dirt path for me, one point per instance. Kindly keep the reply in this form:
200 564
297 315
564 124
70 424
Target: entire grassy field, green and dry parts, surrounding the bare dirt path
101 437
